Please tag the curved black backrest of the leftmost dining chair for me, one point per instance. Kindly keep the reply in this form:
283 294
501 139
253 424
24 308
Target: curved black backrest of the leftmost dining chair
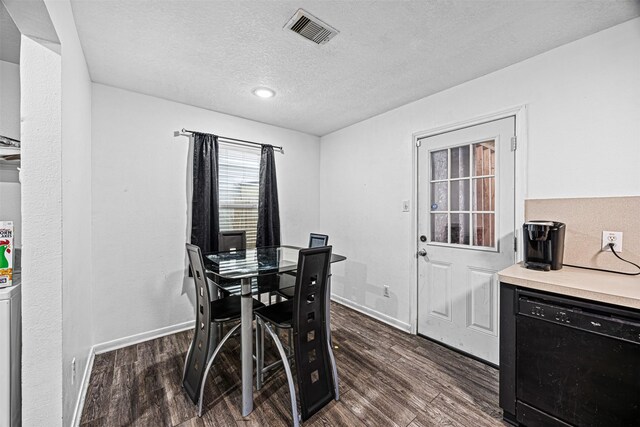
196 362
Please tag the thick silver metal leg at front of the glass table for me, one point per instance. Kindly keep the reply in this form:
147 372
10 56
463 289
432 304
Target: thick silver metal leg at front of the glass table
246 334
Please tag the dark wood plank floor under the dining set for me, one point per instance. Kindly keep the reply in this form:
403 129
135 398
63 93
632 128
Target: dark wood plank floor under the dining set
387 378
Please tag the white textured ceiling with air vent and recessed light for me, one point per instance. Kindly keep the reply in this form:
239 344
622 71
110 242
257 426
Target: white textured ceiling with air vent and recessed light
211 54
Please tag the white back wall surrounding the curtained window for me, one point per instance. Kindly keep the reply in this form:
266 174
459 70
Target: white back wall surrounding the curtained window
140 204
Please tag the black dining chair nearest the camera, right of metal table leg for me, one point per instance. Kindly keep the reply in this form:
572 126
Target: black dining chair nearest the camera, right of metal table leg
306 316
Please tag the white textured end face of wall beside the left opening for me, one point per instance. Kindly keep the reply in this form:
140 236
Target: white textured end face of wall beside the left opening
40 74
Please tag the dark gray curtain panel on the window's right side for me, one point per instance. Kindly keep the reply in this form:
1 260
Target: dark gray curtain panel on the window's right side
268 211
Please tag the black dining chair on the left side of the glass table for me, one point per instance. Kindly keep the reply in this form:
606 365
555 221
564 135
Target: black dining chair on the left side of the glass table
209 314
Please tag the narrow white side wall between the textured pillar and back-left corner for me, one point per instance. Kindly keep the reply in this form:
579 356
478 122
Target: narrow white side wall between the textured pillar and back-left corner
77 331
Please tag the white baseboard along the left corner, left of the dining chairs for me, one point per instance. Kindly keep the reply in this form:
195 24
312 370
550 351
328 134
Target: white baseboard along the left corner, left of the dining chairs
114 345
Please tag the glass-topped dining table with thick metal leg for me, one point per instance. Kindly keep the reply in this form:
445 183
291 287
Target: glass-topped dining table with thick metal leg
258 272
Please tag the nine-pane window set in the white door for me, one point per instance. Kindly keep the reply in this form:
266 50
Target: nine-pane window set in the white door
463 195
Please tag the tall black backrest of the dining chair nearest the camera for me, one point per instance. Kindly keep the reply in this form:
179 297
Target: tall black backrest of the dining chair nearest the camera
310 339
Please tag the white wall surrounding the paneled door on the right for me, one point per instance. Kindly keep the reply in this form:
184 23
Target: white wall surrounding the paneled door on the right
583 115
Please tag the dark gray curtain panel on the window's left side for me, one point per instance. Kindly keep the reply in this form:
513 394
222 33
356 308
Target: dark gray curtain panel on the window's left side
205 207
